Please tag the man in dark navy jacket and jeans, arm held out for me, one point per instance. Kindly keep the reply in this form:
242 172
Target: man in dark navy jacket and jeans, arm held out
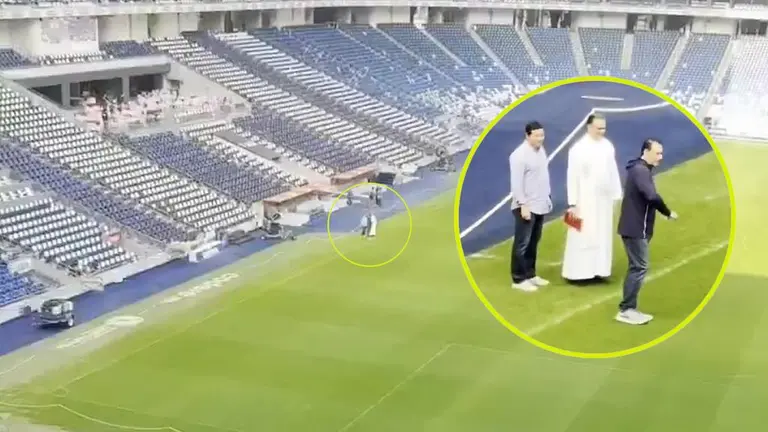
638 216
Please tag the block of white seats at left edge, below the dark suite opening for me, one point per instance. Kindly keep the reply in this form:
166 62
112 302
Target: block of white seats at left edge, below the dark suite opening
99 161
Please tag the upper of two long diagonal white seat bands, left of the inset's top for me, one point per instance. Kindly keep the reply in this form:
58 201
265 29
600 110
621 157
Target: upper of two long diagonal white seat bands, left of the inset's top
338 97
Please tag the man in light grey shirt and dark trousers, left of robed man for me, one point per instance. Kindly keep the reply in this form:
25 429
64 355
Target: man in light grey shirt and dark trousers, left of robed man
531 201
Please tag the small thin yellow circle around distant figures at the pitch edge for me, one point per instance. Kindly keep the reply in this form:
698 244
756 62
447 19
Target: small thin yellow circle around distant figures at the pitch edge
350 239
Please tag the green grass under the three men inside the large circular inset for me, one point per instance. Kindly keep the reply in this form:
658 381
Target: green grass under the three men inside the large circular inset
686 258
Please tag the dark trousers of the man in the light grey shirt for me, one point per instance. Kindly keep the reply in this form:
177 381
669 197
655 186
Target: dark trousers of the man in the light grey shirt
525 245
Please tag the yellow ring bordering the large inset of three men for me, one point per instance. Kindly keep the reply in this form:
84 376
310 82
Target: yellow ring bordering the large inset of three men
599 355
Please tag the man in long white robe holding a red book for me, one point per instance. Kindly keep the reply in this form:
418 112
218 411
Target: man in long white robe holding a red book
593 187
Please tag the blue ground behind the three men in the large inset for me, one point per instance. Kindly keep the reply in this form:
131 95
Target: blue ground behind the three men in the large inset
561 110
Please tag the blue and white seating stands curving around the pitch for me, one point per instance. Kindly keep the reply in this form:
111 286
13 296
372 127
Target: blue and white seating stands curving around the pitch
240 114
